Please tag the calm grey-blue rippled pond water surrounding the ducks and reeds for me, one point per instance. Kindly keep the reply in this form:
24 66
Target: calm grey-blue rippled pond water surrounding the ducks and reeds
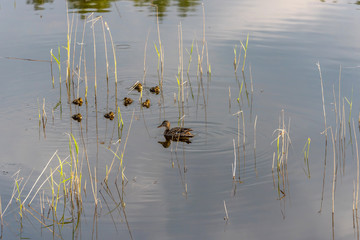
286 40
